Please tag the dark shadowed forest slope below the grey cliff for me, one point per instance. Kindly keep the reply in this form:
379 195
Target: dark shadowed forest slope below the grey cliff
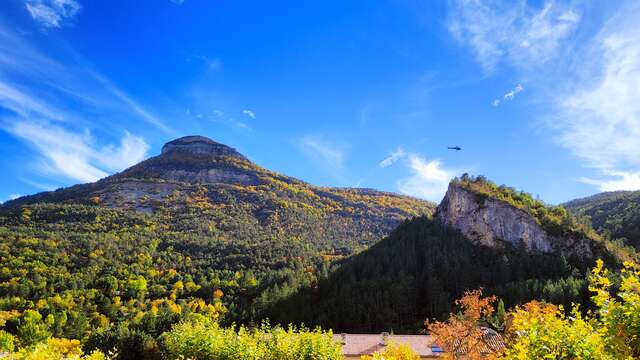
418 272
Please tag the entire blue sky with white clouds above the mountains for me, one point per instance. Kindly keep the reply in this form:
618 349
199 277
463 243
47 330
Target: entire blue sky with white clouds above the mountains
541 95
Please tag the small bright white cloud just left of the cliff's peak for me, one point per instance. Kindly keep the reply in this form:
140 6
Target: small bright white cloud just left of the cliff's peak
429 179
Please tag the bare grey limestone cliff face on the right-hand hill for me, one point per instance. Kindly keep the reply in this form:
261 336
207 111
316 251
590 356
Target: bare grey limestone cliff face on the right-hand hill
492 222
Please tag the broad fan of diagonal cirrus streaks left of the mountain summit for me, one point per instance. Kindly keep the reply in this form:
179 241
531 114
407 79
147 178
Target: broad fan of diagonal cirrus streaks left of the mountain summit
35 94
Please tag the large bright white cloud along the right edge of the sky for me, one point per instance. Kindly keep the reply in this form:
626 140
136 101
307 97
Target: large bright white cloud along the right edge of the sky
599 117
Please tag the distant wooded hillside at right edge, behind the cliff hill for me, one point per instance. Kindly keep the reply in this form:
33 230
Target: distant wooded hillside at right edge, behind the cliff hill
615 214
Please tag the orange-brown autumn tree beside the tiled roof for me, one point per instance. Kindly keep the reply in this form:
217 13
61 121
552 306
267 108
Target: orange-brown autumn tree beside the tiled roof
463 336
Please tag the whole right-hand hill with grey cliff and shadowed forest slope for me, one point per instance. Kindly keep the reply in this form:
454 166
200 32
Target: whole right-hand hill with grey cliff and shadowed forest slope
482 235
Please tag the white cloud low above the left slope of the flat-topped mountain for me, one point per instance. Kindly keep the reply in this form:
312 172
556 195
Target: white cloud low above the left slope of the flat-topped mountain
75 155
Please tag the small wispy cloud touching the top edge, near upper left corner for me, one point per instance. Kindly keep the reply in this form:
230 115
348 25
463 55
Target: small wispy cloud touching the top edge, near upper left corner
52 13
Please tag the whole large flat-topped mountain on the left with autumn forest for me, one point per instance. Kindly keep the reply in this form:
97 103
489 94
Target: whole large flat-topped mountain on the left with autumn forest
198 229
